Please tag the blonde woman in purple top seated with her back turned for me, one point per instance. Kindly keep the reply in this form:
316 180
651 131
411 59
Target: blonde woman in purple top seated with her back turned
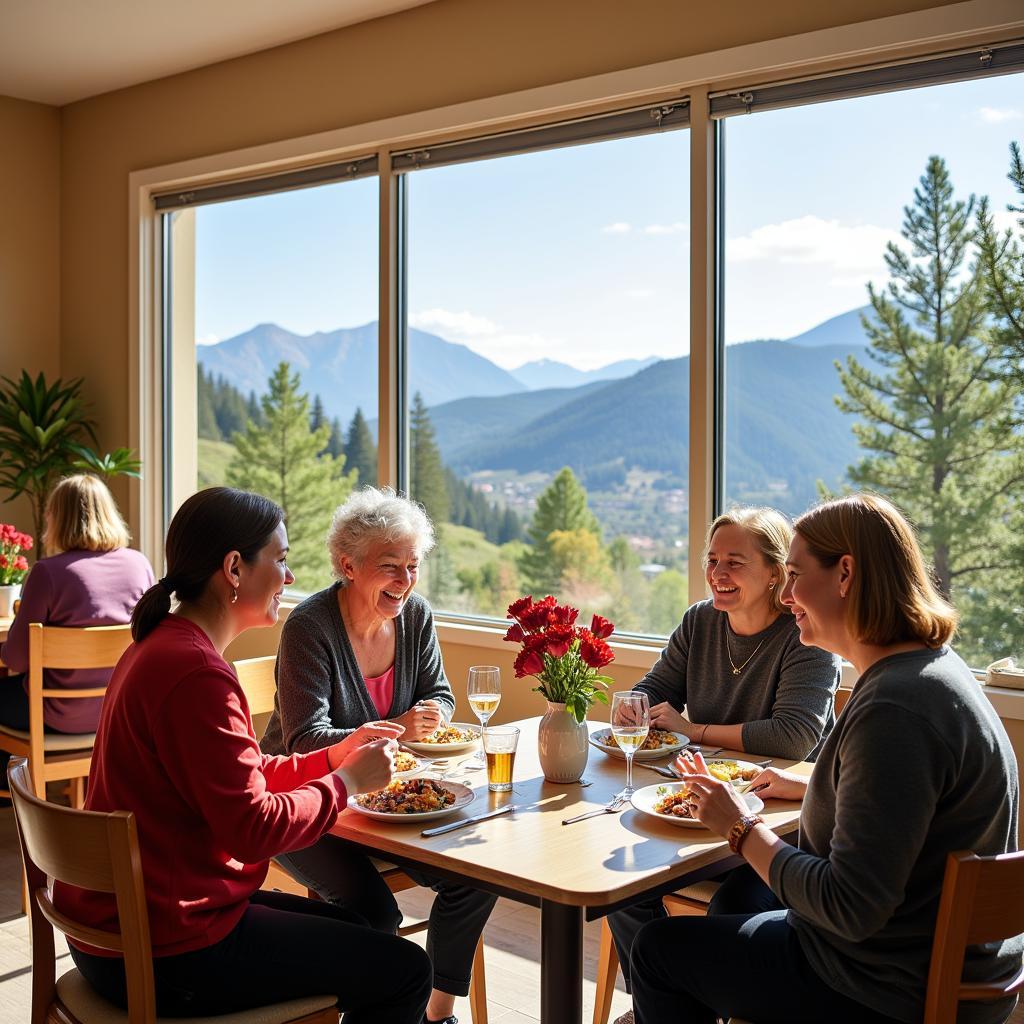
93 579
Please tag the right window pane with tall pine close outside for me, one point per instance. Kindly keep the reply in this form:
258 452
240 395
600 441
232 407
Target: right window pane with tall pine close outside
863 347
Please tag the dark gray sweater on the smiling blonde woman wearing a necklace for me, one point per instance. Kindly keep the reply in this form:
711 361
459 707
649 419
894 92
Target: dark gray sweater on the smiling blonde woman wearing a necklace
785 696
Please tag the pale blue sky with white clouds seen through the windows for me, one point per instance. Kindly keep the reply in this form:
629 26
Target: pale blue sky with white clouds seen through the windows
582 254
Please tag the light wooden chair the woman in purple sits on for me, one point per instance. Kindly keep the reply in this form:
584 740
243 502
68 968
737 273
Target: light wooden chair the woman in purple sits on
55 757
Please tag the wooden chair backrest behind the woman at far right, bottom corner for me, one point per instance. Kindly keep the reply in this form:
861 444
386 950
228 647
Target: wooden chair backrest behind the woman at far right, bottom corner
983 902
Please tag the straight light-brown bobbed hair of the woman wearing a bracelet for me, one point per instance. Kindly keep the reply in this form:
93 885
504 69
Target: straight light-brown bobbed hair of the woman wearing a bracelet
892 599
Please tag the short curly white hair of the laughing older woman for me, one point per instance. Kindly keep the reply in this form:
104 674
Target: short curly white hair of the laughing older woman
371 517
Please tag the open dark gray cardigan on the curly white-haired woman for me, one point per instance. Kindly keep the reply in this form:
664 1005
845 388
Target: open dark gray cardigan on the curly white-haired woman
321 694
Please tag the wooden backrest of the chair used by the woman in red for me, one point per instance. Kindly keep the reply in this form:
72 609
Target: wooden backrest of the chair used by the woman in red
92 850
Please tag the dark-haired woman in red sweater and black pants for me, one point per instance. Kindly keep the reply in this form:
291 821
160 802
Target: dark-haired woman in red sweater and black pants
177 747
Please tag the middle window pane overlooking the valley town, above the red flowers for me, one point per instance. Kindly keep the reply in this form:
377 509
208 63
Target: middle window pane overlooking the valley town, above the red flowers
548 339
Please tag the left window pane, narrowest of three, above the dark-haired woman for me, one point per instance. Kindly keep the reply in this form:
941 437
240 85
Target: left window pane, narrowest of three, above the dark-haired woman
280 294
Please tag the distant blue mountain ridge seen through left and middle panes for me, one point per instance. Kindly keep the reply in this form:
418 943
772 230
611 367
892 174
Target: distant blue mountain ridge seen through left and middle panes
342 366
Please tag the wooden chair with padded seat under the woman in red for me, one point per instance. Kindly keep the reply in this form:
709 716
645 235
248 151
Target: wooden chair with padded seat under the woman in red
100 852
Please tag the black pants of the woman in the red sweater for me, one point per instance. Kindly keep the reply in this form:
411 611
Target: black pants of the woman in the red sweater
284 948
